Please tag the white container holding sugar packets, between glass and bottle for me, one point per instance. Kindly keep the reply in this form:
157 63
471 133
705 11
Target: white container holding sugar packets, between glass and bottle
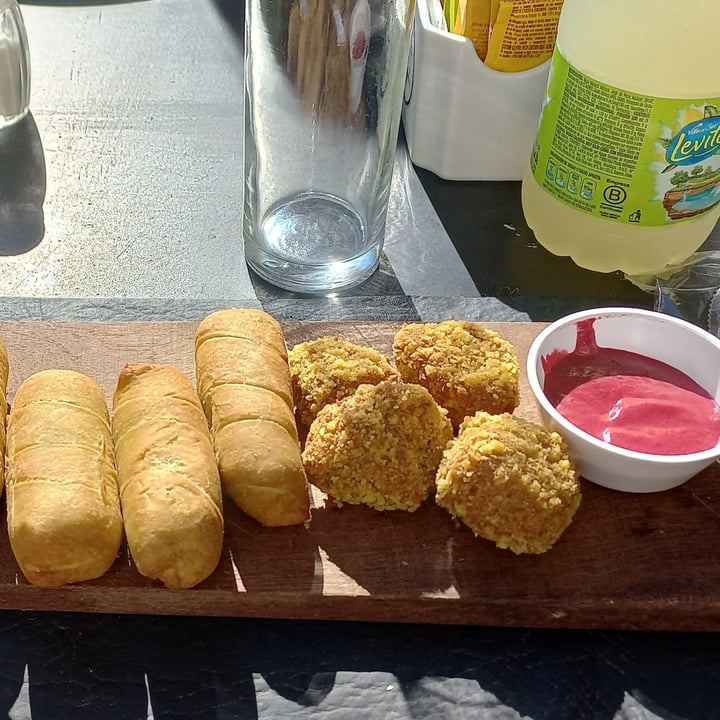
463 120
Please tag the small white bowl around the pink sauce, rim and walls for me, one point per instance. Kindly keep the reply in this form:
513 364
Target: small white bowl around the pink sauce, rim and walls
662 337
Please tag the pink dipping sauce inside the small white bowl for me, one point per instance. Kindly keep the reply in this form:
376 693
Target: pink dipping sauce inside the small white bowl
629 400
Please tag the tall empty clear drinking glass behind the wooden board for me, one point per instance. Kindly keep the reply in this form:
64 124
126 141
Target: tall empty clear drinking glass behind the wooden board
324 84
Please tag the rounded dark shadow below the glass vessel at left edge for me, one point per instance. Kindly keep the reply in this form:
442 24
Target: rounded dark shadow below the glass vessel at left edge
22 187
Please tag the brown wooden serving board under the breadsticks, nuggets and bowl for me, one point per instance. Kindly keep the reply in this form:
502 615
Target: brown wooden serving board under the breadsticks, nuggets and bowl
627 561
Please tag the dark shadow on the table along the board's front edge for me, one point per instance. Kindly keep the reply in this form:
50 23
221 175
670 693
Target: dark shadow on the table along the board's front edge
94 666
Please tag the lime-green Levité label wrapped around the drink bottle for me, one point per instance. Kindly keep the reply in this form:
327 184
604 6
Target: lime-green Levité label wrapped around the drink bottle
623 156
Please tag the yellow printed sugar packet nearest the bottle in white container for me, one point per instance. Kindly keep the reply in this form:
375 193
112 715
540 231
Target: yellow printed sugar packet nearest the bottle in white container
523 34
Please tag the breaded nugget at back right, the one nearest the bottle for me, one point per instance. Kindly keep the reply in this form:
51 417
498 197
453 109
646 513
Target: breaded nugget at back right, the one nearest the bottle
465 366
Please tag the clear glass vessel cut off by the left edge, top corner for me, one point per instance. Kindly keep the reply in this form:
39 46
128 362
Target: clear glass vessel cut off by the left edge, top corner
14 64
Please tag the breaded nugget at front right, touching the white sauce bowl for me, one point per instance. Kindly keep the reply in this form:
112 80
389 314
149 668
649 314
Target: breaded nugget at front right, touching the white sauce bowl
510 481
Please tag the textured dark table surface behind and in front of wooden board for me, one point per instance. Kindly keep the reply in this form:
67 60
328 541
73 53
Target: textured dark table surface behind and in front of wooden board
120 198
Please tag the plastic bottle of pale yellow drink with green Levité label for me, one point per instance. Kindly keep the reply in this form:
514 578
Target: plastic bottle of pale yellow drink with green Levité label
624 174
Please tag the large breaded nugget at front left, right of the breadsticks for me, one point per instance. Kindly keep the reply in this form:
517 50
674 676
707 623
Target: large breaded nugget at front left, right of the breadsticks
380 446
